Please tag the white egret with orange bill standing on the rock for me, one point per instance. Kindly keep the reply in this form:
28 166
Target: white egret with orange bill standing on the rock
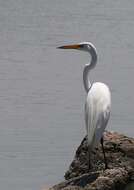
98 101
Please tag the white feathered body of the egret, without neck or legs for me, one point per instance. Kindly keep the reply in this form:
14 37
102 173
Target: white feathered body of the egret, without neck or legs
97 112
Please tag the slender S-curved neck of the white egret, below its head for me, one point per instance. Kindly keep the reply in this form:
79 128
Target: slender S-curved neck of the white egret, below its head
88 67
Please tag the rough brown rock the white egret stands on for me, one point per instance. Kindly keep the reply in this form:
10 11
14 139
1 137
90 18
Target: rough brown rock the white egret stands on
119 151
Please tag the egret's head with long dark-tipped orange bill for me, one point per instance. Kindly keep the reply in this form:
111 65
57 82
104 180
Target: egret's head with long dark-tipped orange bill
83 46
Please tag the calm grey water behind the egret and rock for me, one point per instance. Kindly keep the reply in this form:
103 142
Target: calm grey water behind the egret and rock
41 90
